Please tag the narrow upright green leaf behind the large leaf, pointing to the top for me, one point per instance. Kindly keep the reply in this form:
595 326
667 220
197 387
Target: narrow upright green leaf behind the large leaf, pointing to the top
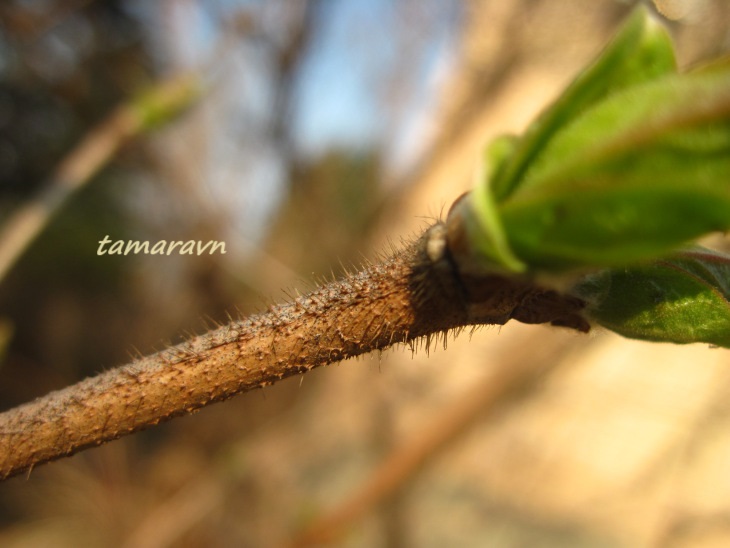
640 52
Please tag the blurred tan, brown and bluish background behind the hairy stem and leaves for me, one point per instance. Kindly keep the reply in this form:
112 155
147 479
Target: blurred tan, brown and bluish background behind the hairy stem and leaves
325 132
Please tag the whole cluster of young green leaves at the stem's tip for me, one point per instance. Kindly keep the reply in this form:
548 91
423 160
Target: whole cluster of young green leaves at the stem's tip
629 164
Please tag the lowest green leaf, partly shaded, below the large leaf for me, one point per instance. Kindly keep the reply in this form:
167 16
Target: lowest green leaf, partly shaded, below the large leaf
682 299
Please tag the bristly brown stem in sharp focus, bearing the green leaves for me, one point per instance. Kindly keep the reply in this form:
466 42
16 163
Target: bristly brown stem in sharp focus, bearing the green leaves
414 293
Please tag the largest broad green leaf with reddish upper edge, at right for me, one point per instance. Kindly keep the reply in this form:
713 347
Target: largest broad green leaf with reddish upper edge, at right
637 175
